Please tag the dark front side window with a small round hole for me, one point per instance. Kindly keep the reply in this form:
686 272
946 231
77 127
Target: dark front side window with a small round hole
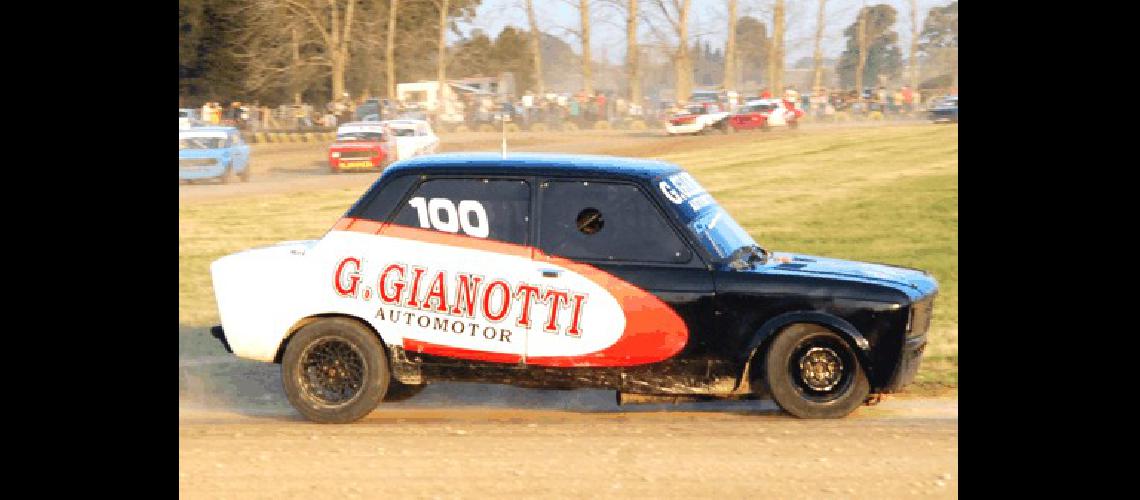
608 223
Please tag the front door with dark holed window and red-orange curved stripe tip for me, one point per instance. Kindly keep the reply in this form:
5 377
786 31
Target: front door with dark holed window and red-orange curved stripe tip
615 235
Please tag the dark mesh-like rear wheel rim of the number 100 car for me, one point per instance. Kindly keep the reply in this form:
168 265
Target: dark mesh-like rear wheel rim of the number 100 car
332 372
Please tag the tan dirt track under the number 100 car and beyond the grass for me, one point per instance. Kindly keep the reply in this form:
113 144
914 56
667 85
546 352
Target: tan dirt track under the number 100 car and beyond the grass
239 438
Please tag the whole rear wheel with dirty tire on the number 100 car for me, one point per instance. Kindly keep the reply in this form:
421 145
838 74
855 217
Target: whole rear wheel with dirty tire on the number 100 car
336 371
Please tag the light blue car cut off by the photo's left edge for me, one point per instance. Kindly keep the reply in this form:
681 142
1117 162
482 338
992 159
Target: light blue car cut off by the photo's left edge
213 153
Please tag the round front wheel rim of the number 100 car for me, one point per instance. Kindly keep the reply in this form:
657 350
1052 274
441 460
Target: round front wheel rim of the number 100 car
821 368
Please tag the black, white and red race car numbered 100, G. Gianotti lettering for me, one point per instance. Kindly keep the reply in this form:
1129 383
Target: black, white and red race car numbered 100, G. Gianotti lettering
565 272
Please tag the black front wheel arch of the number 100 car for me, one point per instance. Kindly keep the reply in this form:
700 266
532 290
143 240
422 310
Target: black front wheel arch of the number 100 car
768 332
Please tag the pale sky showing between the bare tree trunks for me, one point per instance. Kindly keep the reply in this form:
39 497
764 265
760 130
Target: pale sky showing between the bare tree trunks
707 21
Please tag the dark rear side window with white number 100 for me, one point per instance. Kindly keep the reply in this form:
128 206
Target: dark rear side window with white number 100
493 209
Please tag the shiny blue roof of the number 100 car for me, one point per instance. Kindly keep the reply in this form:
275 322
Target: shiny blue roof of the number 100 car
535 165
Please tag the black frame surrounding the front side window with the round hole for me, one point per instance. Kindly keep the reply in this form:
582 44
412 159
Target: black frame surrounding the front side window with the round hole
697 259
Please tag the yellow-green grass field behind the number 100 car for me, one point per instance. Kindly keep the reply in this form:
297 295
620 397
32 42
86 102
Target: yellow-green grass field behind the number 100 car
884 194
